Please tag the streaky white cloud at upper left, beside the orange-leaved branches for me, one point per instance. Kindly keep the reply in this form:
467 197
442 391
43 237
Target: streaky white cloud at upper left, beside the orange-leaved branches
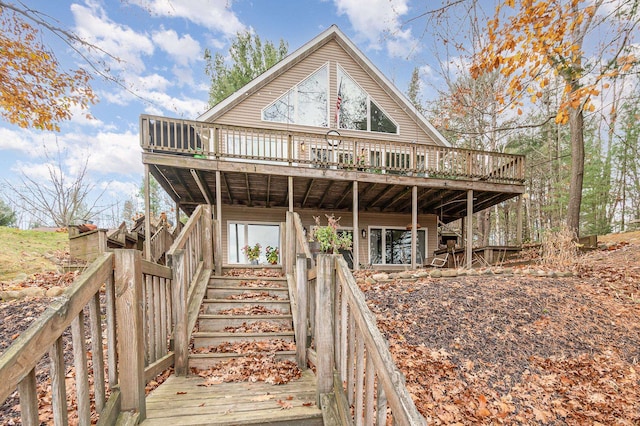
126 46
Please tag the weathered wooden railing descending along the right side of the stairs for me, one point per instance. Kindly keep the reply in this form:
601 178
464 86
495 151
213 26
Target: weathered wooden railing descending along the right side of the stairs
352 360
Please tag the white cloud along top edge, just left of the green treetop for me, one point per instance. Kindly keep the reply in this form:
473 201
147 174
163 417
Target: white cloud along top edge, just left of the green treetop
215 15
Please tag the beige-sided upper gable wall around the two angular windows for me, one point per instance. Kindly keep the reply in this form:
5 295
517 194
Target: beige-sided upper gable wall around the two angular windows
248 113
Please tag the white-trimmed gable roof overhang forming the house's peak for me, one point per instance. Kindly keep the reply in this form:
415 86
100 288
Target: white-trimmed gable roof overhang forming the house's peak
332 33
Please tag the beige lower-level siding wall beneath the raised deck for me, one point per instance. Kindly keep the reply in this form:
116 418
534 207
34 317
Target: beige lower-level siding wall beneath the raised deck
365 221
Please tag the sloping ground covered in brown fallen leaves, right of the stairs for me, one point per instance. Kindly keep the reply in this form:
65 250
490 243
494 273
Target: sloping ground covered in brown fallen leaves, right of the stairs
516 349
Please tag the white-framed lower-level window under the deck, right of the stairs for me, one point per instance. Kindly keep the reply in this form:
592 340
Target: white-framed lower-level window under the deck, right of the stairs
392 246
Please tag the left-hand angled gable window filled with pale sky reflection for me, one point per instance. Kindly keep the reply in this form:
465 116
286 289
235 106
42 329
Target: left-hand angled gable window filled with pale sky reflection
306 103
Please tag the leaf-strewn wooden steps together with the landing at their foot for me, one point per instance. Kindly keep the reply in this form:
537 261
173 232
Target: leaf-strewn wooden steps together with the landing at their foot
231 327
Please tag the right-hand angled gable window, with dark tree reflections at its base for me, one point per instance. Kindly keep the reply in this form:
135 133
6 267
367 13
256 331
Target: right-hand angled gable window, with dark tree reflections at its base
357 111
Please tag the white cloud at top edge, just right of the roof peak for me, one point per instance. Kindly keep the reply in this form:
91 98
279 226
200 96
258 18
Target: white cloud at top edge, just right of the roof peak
378 22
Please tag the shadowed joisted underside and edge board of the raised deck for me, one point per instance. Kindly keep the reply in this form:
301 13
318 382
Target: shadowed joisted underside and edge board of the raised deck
192 181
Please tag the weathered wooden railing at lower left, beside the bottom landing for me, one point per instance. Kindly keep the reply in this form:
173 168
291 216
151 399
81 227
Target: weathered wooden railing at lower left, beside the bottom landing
137 321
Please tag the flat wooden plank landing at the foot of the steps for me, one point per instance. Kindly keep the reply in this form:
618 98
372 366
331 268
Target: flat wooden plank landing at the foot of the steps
184 401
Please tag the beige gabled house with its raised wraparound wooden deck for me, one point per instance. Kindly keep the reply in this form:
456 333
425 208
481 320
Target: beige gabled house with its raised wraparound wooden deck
325 132
